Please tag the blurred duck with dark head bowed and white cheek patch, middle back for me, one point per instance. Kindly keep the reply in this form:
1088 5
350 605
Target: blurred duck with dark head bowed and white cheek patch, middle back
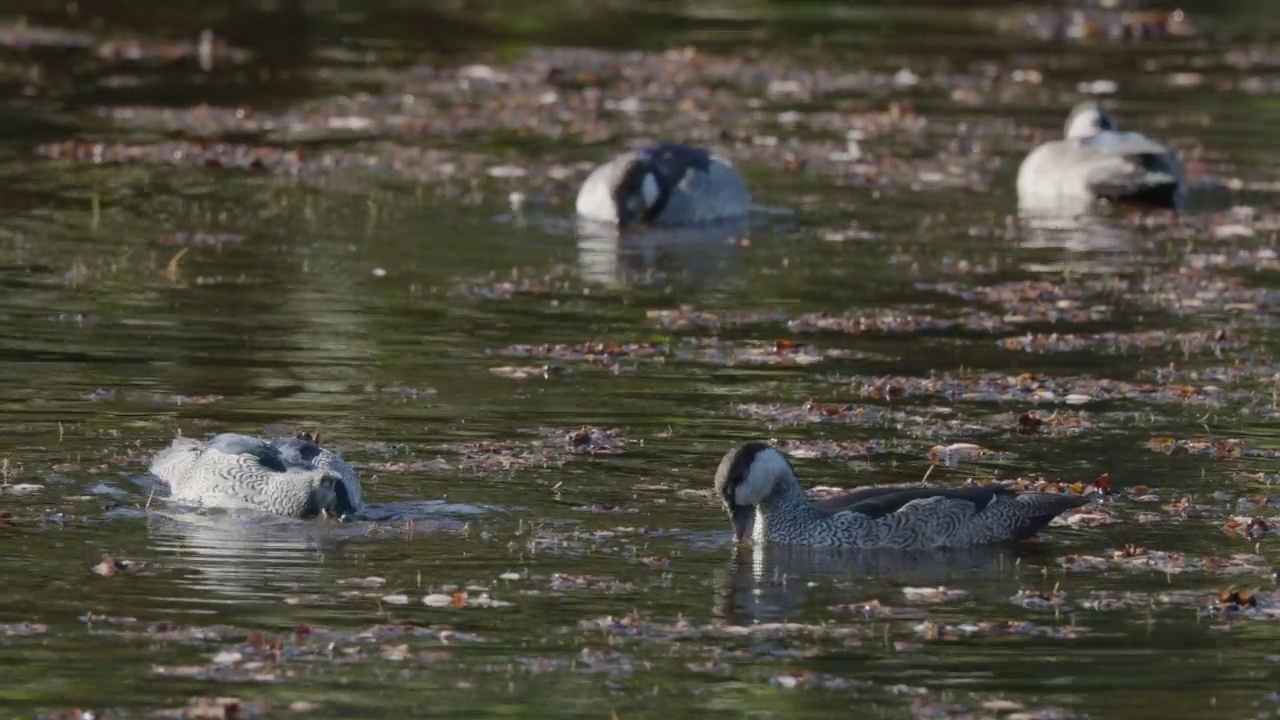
664 185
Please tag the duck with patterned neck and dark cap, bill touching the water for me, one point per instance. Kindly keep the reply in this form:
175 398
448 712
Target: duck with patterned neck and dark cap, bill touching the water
758 487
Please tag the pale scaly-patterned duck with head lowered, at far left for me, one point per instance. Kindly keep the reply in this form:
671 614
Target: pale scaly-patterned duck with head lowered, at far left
294 477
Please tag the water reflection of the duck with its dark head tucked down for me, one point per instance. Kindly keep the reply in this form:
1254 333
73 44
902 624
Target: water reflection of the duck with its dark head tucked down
638 257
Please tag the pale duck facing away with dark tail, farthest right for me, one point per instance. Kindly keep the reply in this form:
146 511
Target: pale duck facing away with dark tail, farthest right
1095 162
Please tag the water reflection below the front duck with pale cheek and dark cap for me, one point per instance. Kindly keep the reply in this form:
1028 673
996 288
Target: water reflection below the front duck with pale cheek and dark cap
770 584
